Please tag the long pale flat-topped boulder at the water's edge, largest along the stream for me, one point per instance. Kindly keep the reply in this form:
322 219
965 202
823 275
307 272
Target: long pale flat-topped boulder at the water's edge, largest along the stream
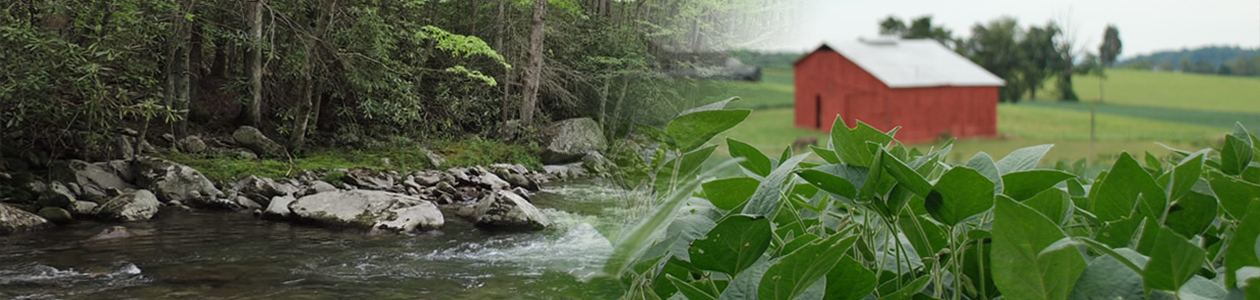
371 210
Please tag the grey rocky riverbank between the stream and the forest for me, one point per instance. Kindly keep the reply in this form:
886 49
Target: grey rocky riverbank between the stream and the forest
493 197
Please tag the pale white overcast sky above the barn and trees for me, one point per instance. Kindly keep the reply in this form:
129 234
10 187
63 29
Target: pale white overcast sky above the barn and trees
1146 26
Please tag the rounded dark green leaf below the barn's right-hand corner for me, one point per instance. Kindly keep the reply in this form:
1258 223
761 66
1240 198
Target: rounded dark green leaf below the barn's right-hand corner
959 195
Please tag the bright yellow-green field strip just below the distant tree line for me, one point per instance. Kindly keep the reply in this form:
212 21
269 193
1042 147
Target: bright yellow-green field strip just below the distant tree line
1174 90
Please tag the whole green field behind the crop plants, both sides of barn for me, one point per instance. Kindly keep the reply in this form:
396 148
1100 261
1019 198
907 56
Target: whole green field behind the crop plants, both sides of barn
1123 124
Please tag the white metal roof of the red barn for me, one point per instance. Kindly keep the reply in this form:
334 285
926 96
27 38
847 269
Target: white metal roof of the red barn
915 64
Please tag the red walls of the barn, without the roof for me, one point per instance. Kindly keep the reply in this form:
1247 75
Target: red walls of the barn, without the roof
924 114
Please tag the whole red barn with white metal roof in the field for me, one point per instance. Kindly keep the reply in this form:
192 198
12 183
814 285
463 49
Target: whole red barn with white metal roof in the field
919 85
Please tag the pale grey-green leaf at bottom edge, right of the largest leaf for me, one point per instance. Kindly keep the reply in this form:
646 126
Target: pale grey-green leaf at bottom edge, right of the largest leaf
1107 278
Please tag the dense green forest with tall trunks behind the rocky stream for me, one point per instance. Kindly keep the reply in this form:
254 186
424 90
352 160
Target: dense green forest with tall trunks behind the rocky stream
324 74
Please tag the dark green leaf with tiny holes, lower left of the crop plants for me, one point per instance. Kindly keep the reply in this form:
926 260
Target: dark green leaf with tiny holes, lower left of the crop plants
733 246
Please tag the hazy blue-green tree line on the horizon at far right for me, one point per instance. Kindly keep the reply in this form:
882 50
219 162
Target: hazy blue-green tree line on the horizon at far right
1227 61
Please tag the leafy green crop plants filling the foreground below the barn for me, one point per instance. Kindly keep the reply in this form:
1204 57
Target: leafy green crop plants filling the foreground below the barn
859 226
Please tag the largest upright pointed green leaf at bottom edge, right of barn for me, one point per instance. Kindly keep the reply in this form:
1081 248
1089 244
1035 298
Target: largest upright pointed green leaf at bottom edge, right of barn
1020 268
